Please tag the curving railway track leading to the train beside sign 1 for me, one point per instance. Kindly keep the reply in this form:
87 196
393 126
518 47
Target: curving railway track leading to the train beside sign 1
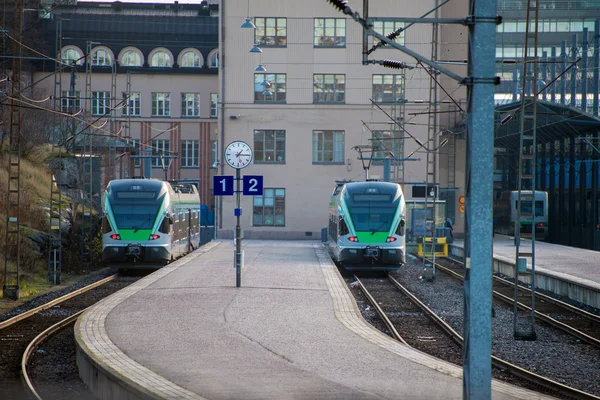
21 335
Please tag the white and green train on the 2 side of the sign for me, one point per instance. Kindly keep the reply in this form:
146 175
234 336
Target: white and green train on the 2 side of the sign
367 226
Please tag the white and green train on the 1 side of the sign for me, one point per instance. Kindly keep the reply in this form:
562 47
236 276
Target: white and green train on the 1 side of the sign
148 223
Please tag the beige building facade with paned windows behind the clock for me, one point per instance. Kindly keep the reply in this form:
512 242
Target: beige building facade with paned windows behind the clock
316 108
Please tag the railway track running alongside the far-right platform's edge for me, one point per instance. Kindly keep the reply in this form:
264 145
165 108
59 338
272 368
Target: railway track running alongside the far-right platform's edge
572 320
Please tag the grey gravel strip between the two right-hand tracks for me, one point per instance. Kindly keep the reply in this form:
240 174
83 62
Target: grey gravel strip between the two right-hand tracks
554 354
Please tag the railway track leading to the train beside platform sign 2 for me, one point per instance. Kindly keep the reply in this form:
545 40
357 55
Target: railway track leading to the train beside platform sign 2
412 325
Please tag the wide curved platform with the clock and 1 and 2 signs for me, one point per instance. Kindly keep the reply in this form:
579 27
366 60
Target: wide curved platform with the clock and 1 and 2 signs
291 331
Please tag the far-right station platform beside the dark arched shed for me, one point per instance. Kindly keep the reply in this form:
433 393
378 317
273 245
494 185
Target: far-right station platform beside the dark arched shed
566 271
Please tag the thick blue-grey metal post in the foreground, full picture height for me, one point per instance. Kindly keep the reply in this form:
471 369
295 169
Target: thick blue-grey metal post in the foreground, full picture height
478 184
